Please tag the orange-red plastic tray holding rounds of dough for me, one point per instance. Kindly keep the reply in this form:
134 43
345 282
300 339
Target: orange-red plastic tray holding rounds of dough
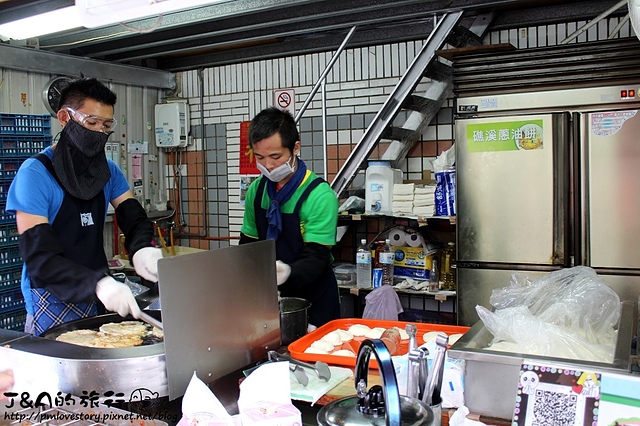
297 348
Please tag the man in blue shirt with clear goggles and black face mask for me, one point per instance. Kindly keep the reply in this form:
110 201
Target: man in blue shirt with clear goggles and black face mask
60 198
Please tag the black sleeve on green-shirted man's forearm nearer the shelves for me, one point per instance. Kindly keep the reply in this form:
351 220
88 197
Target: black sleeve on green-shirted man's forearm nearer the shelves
309 267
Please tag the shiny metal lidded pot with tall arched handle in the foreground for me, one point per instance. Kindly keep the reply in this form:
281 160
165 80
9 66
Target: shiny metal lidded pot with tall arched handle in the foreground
380 405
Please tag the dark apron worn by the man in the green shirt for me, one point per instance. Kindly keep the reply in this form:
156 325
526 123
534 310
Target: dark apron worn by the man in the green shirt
322 294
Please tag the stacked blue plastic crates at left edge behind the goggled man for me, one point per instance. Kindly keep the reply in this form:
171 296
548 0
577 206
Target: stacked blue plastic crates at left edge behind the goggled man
21 136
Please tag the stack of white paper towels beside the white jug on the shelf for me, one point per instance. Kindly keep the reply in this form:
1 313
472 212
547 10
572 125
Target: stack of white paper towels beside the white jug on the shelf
413 200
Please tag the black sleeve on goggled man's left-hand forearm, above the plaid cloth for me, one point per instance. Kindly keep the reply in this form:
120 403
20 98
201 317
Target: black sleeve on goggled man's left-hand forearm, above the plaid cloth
49 269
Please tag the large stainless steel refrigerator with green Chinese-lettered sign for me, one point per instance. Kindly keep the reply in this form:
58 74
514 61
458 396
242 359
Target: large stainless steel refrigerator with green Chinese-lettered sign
547 180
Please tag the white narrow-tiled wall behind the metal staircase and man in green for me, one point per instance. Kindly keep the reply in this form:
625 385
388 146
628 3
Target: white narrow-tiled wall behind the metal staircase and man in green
359 83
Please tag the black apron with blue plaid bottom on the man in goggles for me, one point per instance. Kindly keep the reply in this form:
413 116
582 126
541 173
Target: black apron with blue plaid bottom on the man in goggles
80 224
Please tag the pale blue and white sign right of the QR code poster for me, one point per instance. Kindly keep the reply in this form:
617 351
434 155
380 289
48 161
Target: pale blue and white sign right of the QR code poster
619 400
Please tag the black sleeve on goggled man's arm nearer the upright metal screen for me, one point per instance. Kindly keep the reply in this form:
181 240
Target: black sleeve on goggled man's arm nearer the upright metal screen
136 226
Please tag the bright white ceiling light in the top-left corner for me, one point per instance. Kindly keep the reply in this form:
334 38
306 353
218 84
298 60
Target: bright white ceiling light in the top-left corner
55 21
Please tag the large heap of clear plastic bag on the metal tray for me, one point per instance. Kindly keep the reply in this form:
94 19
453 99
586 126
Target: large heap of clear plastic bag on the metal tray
570 313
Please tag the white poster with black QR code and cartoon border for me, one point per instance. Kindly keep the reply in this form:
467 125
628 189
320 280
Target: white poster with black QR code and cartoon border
549 395
